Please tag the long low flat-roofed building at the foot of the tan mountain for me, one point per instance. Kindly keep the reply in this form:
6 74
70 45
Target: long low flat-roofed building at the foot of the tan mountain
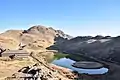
15 53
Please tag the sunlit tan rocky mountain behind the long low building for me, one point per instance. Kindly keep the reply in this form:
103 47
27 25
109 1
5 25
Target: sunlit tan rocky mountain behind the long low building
35 38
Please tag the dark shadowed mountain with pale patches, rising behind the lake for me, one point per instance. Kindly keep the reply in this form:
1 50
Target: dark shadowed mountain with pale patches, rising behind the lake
104 48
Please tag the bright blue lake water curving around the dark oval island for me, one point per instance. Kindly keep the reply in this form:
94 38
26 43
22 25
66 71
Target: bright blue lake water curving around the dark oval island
66 62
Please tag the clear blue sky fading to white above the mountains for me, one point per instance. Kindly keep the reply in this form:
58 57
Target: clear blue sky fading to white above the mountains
74 17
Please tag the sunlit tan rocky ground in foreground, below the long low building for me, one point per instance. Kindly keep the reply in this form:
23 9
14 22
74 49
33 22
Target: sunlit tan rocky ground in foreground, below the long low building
10 70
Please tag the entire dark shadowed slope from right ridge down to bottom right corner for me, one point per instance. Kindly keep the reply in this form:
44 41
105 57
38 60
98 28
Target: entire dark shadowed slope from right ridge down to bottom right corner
99 48
